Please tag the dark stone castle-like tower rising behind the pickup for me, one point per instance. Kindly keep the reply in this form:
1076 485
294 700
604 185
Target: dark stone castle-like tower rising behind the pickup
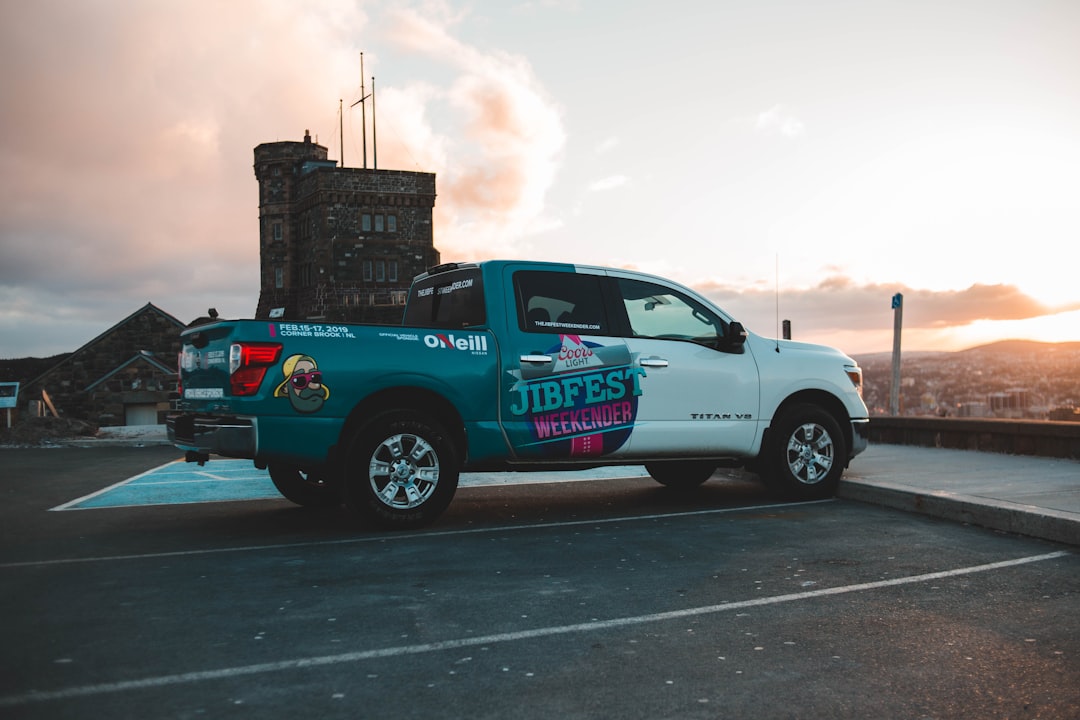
339 244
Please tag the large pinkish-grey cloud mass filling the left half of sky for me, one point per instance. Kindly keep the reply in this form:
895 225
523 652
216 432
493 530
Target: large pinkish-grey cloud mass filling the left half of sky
126 164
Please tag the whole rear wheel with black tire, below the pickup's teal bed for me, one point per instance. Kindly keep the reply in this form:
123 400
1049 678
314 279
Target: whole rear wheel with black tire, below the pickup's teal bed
401 471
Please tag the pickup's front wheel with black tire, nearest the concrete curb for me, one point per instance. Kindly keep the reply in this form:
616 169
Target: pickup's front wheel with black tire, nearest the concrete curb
806 454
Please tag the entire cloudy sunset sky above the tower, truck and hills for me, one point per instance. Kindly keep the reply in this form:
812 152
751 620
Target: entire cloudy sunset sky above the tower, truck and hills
801 160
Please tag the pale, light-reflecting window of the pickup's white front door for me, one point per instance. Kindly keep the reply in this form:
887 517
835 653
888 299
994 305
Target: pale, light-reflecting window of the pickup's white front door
656 311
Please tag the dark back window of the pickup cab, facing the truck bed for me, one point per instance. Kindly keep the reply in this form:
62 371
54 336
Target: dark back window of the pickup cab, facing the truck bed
450 300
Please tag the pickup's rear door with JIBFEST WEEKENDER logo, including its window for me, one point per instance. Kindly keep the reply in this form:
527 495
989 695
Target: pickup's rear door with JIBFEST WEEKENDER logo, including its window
570 390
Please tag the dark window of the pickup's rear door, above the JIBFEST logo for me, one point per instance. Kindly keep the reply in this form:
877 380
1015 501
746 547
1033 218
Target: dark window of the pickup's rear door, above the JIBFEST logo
563 303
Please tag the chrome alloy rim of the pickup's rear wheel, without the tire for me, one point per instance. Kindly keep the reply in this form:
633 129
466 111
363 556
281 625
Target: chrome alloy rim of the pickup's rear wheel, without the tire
404 471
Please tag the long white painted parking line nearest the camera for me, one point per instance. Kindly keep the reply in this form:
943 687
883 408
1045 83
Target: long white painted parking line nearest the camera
320 661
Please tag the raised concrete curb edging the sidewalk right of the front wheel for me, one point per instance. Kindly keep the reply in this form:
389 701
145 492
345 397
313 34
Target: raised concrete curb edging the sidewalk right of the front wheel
988 513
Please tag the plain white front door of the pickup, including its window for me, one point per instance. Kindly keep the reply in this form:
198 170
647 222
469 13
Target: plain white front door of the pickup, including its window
698 395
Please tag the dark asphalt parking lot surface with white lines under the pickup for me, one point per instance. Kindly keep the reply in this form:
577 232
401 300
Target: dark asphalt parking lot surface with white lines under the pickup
607 597
